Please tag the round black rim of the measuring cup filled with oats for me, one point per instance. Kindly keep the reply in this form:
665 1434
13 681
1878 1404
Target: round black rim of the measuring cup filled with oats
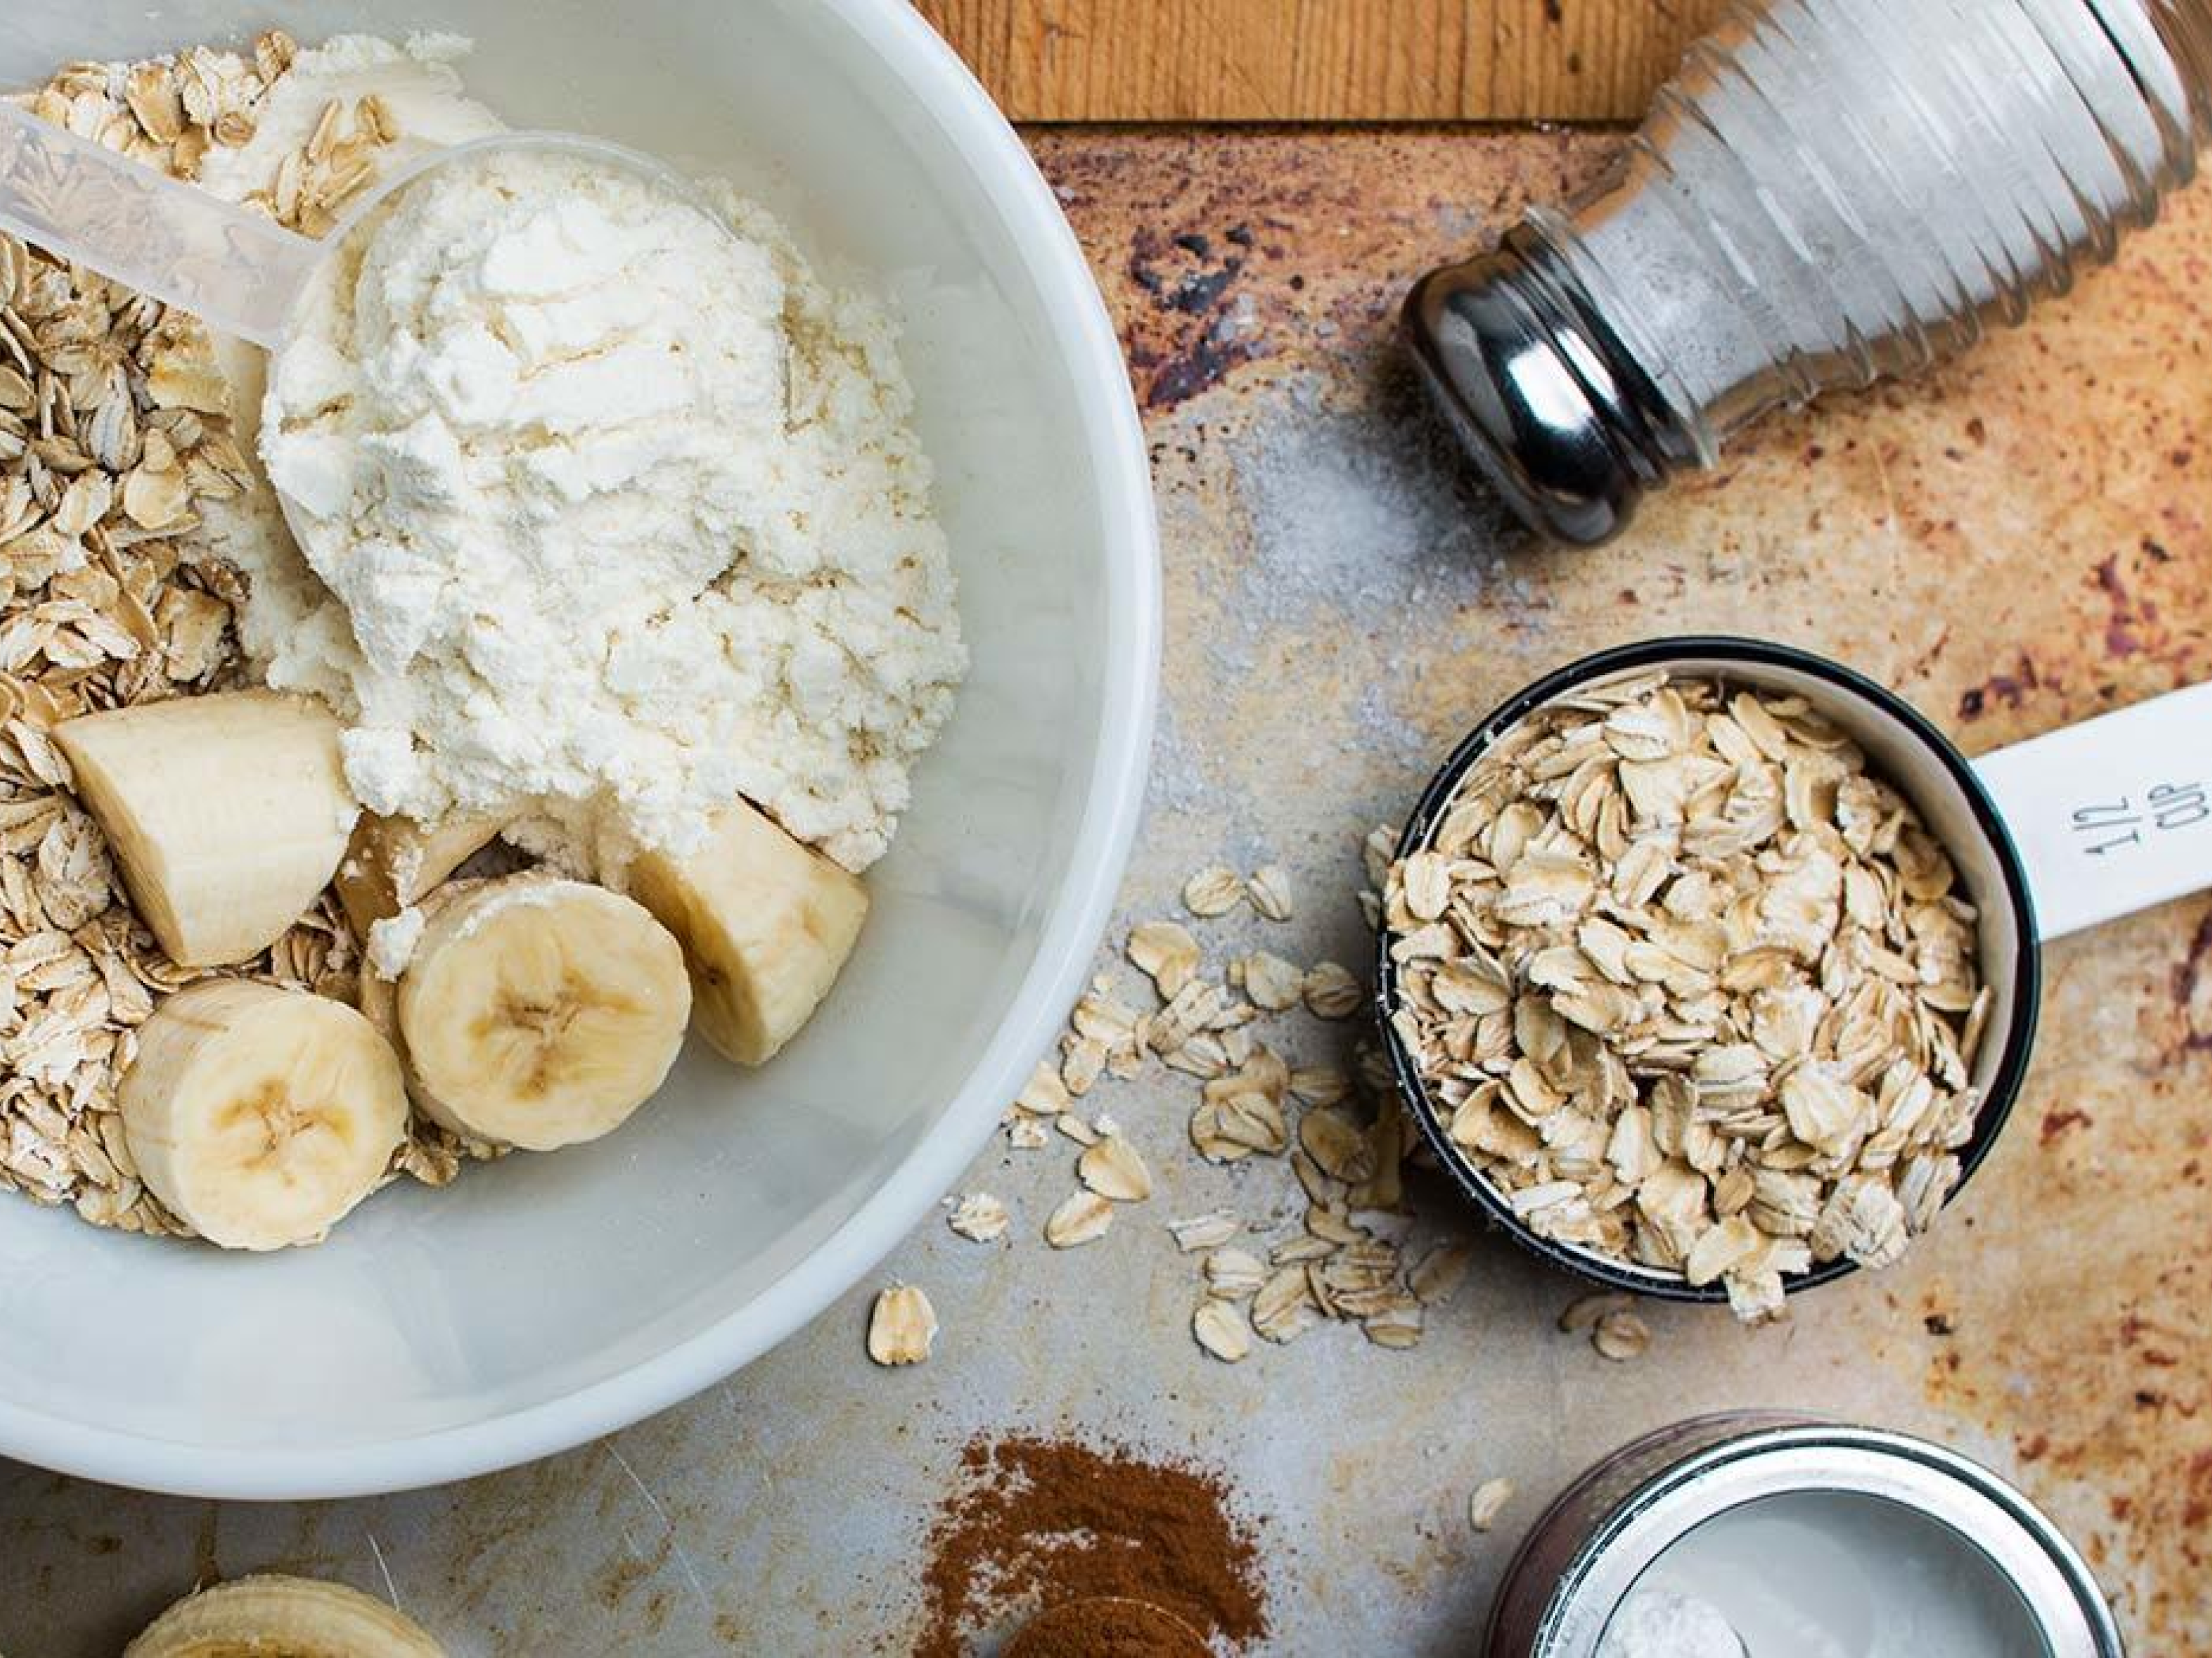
2018 1036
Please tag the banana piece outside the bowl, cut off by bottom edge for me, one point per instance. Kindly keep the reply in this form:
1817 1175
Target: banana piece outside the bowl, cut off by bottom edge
278 1617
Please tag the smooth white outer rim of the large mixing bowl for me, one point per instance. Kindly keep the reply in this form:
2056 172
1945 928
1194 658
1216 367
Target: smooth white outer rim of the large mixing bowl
1114 437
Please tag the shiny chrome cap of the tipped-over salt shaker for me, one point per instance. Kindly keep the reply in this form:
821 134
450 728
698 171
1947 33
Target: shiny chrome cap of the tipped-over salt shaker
1538 392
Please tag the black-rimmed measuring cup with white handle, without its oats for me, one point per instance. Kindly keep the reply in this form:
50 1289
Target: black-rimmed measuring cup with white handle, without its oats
2049 837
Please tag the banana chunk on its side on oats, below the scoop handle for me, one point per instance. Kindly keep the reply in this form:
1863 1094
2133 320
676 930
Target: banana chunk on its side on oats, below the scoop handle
229 815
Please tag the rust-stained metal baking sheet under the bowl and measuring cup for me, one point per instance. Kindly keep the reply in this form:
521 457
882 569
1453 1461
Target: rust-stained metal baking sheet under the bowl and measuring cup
2014 545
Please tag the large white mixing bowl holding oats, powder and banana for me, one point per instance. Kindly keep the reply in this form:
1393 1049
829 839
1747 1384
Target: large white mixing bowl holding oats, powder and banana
552 1299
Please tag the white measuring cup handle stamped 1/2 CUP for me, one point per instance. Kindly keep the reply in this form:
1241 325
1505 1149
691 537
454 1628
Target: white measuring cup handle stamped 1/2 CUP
2114 815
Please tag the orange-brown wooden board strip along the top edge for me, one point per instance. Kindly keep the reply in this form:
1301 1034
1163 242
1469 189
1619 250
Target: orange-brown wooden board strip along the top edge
1322 61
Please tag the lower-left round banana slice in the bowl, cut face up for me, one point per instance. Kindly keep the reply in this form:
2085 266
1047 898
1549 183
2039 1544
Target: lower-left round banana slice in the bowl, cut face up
262 1115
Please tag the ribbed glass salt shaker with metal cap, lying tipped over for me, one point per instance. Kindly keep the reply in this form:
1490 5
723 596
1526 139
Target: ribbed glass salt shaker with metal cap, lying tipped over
1828 193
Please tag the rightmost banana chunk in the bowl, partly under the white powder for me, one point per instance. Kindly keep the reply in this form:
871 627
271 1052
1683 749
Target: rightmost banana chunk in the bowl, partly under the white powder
766 927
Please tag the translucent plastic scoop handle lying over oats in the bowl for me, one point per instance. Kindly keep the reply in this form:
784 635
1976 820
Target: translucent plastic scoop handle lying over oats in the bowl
233 271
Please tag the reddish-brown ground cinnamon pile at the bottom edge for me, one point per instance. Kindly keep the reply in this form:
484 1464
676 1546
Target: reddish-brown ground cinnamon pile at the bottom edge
1041 1522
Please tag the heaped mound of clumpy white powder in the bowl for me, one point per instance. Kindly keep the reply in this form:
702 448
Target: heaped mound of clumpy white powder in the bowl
607 518
